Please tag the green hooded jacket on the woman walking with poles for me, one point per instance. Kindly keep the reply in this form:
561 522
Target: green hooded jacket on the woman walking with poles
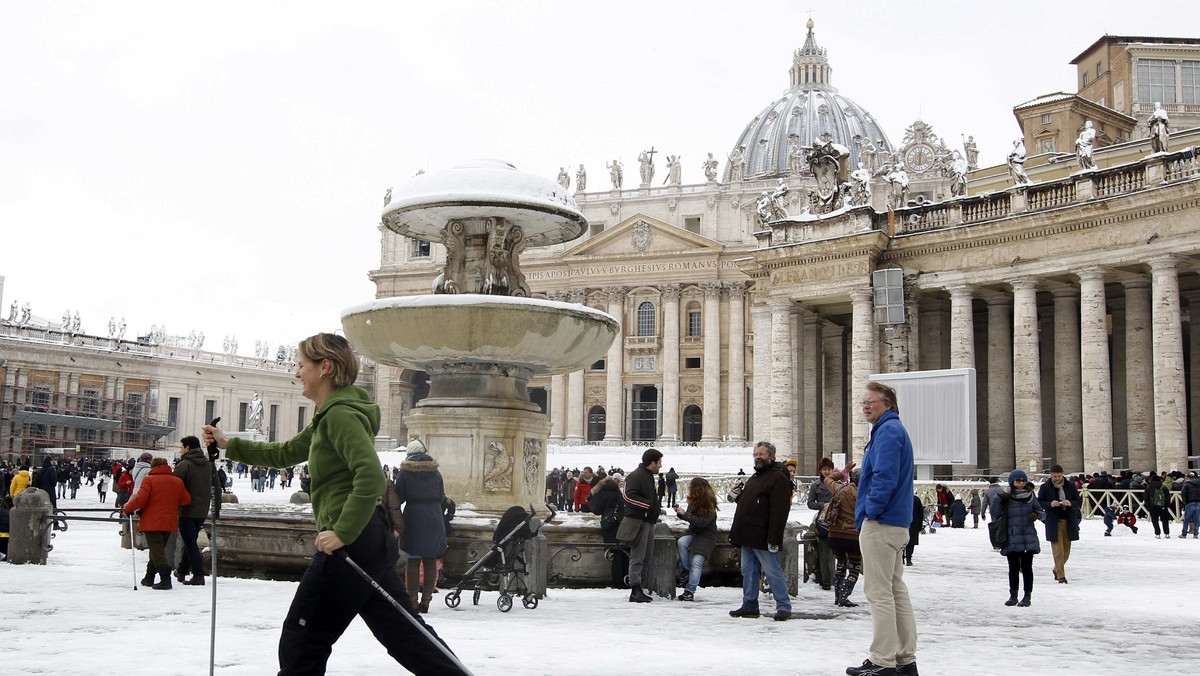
339 447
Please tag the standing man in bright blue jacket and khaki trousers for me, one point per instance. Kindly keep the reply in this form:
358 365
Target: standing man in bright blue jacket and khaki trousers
883 516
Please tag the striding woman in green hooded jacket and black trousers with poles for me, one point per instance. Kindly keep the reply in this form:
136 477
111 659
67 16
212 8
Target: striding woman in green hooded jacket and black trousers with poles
347 487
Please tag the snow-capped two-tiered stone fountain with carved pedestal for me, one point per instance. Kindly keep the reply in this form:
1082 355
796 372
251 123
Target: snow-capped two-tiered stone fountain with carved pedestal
479 336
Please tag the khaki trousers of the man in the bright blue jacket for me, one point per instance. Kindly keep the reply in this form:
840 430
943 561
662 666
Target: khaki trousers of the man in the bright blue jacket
895 631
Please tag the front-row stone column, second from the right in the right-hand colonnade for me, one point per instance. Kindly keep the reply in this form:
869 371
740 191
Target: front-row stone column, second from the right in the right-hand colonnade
1097 397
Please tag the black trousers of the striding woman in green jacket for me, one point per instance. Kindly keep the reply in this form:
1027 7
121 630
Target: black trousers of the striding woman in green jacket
332 594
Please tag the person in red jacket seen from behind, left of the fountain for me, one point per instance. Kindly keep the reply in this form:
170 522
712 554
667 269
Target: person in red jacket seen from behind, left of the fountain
159 499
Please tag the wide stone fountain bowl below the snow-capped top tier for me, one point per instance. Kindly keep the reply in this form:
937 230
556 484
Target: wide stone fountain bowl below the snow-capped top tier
545 337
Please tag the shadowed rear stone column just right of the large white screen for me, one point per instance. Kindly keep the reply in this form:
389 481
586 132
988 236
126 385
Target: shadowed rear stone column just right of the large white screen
1001 453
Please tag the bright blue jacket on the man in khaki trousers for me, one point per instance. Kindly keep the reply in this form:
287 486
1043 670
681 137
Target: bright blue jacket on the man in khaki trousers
885 489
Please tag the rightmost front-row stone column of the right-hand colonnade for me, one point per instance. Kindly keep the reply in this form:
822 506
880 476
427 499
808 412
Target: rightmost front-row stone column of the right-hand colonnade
1171 393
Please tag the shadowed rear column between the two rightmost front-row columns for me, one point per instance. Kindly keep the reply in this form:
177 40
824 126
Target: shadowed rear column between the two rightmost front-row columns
1139 378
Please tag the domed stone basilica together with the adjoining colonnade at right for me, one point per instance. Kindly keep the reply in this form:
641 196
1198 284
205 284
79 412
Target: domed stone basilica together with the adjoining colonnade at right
1070 297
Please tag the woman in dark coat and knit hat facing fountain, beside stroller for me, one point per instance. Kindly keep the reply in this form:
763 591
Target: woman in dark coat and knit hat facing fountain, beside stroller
424 539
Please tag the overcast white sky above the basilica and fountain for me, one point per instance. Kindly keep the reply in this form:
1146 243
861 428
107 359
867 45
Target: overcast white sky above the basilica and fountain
221 167
